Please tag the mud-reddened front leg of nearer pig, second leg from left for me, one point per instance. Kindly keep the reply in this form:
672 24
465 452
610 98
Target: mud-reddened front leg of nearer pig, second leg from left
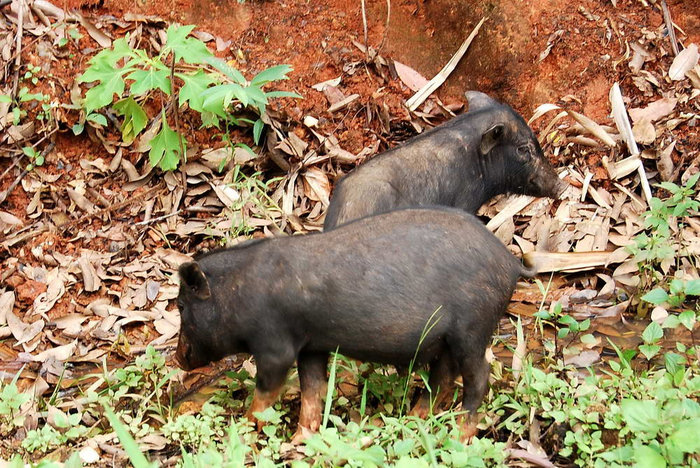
313 380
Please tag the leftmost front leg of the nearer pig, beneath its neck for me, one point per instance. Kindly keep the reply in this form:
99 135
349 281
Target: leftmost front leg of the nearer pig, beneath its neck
272 367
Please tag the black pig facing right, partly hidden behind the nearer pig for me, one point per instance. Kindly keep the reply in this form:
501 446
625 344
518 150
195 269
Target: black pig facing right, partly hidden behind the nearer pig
462 163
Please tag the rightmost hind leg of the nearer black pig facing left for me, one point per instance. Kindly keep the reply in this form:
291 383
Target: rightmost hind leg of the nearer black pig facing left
475 376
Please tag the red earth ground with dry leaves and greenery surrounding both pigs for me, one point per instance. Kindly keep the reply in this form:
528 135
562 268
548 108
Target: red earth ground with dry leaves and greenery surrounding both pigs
595 365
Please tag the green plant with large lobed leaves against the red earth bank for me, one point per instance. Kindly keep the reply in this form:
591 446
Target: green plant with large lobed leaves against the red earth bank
218 92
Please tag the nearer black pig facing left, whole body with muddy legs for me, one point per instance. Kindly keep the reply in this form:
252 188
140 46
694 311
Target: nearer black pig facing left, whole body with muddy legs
369 288
